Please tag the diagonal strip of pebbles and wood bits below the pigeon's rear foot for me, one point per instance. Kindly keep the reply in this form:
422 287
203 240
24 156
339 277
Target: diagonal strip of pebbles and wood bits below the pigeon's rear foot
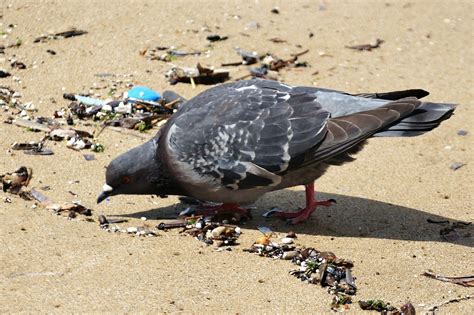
322 268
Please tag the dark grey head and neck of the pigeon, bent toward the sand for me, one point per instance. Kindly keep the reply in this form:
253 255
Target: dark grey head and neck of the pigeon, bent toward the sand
132 172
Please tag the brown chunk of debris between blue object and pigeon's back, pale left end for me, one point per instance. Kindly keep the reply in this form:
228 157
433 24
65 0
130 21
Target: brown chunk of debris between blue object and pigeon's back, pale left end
197 75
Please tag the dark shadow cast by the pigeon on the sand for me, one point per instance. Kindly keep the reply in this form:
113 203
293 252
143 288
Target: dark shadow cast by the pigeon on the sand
350 217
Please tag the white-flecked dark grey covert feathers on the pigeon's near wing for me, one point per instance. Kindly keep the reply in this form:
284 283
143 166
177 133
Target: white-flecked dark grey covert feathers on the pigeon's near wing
243 135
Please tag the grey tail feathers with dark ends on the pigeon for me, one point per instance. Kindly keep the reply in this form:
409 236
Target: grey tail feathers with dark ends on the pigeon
425 118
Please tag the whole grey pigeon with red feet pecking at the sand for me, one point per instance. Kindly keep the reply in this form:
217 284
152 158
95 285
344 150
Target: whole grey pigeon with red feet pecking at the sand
235 142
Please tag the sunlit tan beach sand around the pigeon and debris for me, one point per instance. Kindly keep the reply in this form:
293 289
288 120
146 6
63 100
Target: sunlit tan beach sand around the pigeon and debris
51 264
